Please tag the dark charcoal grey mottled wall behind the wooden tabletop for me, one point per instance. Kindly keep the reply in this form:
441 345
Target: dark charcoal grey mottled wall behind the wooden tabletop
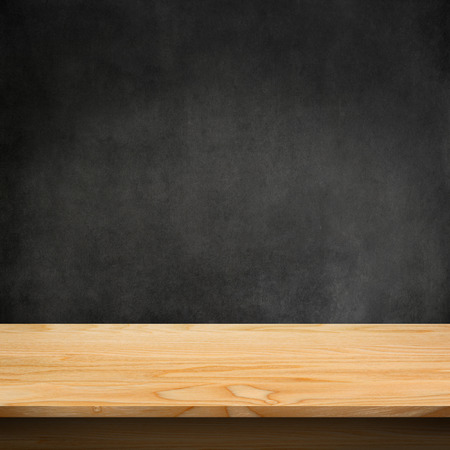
225 161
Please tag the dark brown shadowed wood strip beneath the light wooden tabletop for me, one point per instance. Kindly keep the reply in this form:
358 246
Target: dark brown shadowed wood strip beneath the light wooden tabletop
224 434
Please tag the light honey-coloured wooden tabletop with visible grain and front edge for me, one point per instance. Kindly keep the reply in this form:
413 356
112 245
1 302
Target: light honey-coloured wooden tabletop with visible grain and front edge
224 370
